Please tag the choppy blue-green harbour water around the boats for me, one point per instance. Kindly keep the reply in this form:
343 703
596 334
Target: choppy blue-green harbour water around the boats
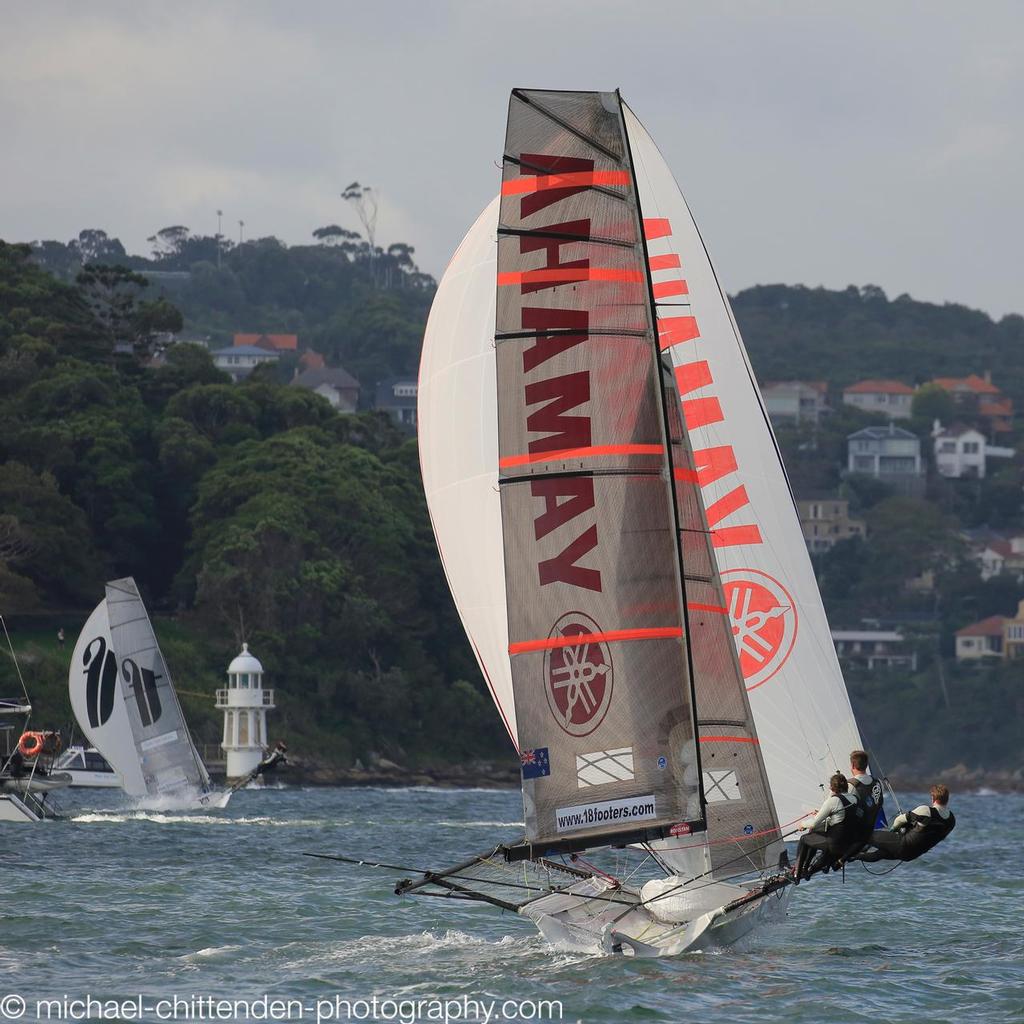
118 902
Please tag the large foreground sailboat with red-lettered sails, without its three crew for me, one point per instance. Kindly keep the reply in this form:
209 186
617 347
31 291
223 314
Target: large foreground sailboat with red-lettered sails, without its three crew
623 547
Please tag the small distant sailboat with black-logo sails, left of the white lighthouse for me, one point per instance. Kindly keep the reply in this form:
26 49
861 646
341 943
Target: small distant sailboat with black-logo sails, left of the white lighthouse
125 704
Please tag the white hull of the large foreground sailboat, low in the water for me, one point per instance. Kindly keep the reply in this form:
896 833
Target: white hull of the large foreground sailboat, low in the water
575 920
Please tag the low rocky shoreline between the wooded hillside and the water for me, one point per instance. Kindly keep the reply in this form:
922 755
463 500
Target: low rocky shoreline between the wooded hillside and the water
505 776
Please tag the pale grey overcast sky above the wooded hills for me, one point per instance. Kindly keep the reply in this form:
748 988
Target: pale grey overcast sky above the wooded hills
817 143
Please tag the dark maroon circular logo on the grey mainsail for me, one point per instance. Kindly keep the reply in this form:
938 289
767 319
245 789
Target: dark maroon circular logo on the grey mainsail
578 675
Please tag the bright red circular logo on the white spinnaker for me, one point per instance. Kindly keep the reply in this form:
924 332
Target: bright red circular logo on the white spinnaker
764 623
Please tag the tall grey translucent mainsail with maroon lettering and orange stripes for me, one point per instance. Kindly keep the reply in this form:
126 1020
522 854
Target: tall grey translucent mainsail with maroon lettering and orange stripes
594 590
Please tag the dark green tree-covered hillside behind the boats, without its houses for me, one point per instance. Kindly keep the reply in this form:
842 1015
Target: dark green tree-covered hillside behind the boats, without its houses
255 510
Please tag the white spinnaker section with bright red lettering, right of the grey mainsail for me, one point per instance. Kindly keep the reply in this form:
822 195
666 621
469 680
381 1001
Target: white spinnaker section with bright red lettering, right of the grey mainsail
798 697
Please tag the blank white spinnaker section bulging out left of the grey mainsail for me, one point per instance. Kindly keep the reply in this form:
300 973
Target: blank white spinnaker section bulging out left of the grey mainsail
458 436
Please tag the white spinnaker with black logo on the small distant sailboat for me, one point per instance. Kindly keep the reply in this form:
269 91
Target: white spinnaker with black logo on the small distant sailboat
98 701
